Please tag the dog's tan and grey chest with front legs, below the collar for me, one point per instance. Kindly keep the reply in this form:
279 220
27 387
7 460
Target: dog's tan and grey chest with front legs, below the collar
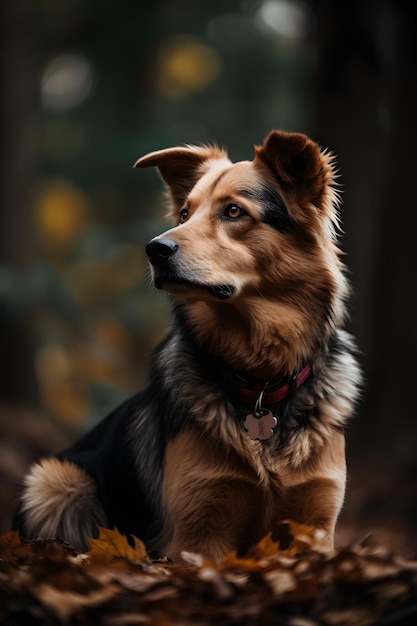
217 482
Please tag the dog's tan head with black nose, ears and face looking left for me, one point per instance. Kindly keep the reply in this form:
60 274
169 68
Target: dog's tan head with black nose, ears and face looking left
251 234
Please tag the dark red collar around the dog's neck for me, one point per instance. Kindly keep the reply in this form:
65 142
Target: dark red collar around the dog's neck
271 393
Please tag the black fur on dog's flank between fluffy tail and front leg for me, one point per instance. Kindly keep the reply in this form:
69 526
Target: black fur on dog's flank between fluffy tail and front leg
112 452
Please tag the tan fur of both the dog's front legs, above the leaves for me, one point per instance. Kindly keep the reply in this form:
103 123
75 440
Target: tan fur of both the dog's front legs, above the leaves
217 502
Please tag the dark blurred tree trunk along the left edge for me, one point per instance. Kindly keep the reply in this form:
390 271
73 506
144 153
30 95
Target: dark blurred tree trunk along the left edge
17 374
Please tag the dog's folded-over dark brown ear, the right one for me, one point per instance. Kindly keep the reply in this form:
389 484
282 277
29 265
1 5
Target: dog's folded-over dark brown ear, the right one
295 160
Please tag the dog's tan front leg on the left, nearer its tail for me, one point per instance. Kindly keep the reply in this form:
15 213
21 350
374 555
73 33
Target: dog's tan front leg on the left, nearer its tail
212 506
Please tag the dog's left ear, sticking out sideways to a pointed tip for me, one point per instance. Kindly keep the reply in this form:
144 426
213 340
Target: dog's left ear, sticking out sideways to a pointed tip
181 167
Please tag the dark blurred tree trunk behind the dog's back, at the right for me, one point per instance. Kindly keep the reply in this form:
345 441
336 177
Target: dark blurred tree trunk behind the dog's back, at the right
366 110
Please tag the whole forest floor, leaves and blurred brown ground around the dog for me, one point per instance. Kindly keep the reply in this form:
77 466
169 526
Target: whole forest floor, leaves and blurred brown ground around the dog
370 579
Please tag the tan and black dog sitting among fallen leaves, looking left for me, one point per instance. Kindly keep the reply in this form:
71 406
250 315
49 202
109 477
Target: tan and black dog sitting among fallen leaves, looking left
242 424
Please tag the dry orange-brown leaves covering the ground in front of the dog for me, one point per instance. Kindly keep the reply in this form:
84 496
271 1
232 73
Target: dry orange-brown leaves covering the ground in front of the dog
115 584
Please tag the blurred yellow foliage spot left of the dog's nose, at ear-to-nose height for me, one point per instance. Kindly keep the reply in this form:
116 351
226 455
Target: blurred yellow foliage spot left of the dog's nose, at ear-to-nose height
61 214
